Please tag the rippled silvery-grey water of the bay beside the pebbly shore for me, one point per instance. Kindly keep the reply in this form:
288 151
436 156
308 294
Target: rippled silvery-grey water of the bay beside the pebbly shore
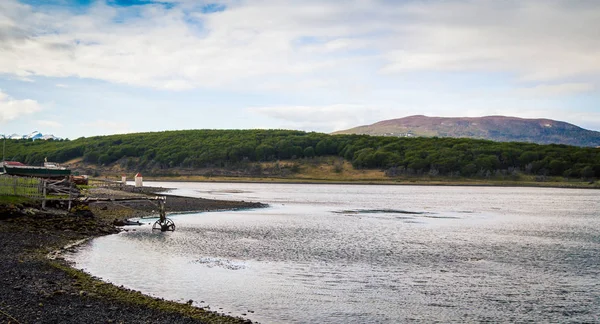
371 254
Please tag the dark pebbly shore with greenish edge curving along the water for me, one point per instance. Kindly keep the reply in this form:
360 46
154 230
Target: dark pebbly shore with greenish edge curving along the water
38 289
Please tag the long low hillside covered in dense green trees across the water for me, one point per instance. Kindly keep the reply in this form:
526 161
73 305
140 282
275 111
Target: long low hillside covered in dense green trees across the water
236 148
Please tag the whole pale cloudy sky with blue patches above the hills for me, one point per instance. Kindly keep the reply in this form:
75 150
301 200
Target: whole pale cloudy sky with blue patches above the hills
77 68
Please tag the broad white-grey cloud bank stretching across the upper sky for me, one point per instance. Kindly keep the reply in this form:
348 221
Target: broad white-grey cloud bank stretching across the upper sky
247 44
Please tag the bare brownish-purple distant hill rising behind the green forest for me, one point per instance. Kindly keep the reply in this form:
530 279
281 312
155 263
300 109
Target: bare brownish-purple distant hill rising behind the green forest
495 128
